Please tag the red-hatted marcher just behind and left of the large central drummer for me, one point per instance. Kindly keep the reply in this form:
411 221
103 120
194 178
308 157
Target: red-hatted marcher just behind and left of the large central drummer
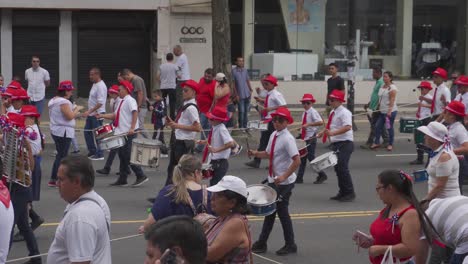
271 103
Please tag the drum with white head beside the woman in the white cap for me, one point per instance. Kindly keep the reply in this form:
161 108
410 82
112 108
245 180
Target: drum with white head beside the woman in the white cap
262 199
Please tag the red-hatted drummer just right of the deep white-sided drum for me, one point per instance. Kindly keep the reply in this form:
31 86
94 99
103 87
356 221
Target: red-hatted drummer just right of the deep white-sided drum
184 127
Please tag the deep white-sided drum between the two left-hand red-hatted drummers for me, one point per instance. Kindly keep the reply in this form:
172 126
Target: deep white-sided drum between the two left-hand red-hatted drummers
145 152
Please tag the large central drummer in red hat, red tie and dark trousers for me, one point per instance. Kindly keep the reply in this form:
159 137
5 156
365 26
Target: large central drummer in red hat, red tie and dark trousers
284 160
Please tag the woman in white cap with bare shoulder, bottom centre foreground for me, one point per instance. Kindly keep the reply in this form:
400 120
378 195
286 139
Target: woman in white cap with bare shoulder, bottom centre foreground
228 237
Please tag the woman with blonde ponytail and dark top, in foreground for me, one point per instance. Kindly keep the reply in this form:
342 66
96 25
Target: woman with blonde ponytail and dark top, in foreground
186 196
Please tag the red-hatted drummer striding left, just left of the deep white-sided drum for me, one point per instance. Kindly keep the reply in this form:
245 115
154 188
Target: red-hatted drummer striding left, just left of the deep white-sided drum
126 123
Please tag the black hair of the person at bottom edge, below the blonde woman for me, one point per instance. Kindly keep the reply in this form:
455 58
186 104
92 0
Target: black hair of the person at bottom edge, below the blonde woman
180 231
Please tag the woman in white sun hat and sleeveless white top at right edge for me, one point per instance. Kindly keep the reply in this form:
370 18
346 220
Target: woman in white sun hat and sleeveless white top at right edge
443 163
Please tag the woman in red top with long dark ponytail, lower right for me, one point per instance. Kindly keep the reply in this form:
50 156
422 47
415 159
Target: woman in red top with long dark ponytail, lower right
399 224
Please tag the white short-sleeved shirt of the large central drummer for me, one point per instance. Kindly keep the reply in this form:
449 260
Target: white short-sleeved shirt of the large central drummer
285 150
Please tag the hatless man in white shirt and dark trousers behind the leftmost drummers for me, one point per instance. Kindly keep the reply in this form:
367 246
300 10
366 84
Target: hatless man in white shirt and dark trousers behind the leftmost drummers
96 105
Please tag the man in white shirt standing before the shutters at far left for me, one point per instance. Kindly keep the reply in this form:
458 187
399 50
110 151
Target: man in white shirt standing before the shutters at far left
38 79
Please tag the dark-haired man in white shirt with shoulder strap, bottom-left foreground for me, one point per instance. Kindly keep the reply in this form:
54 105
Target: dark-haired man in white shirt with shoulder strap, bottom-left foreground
83 235
